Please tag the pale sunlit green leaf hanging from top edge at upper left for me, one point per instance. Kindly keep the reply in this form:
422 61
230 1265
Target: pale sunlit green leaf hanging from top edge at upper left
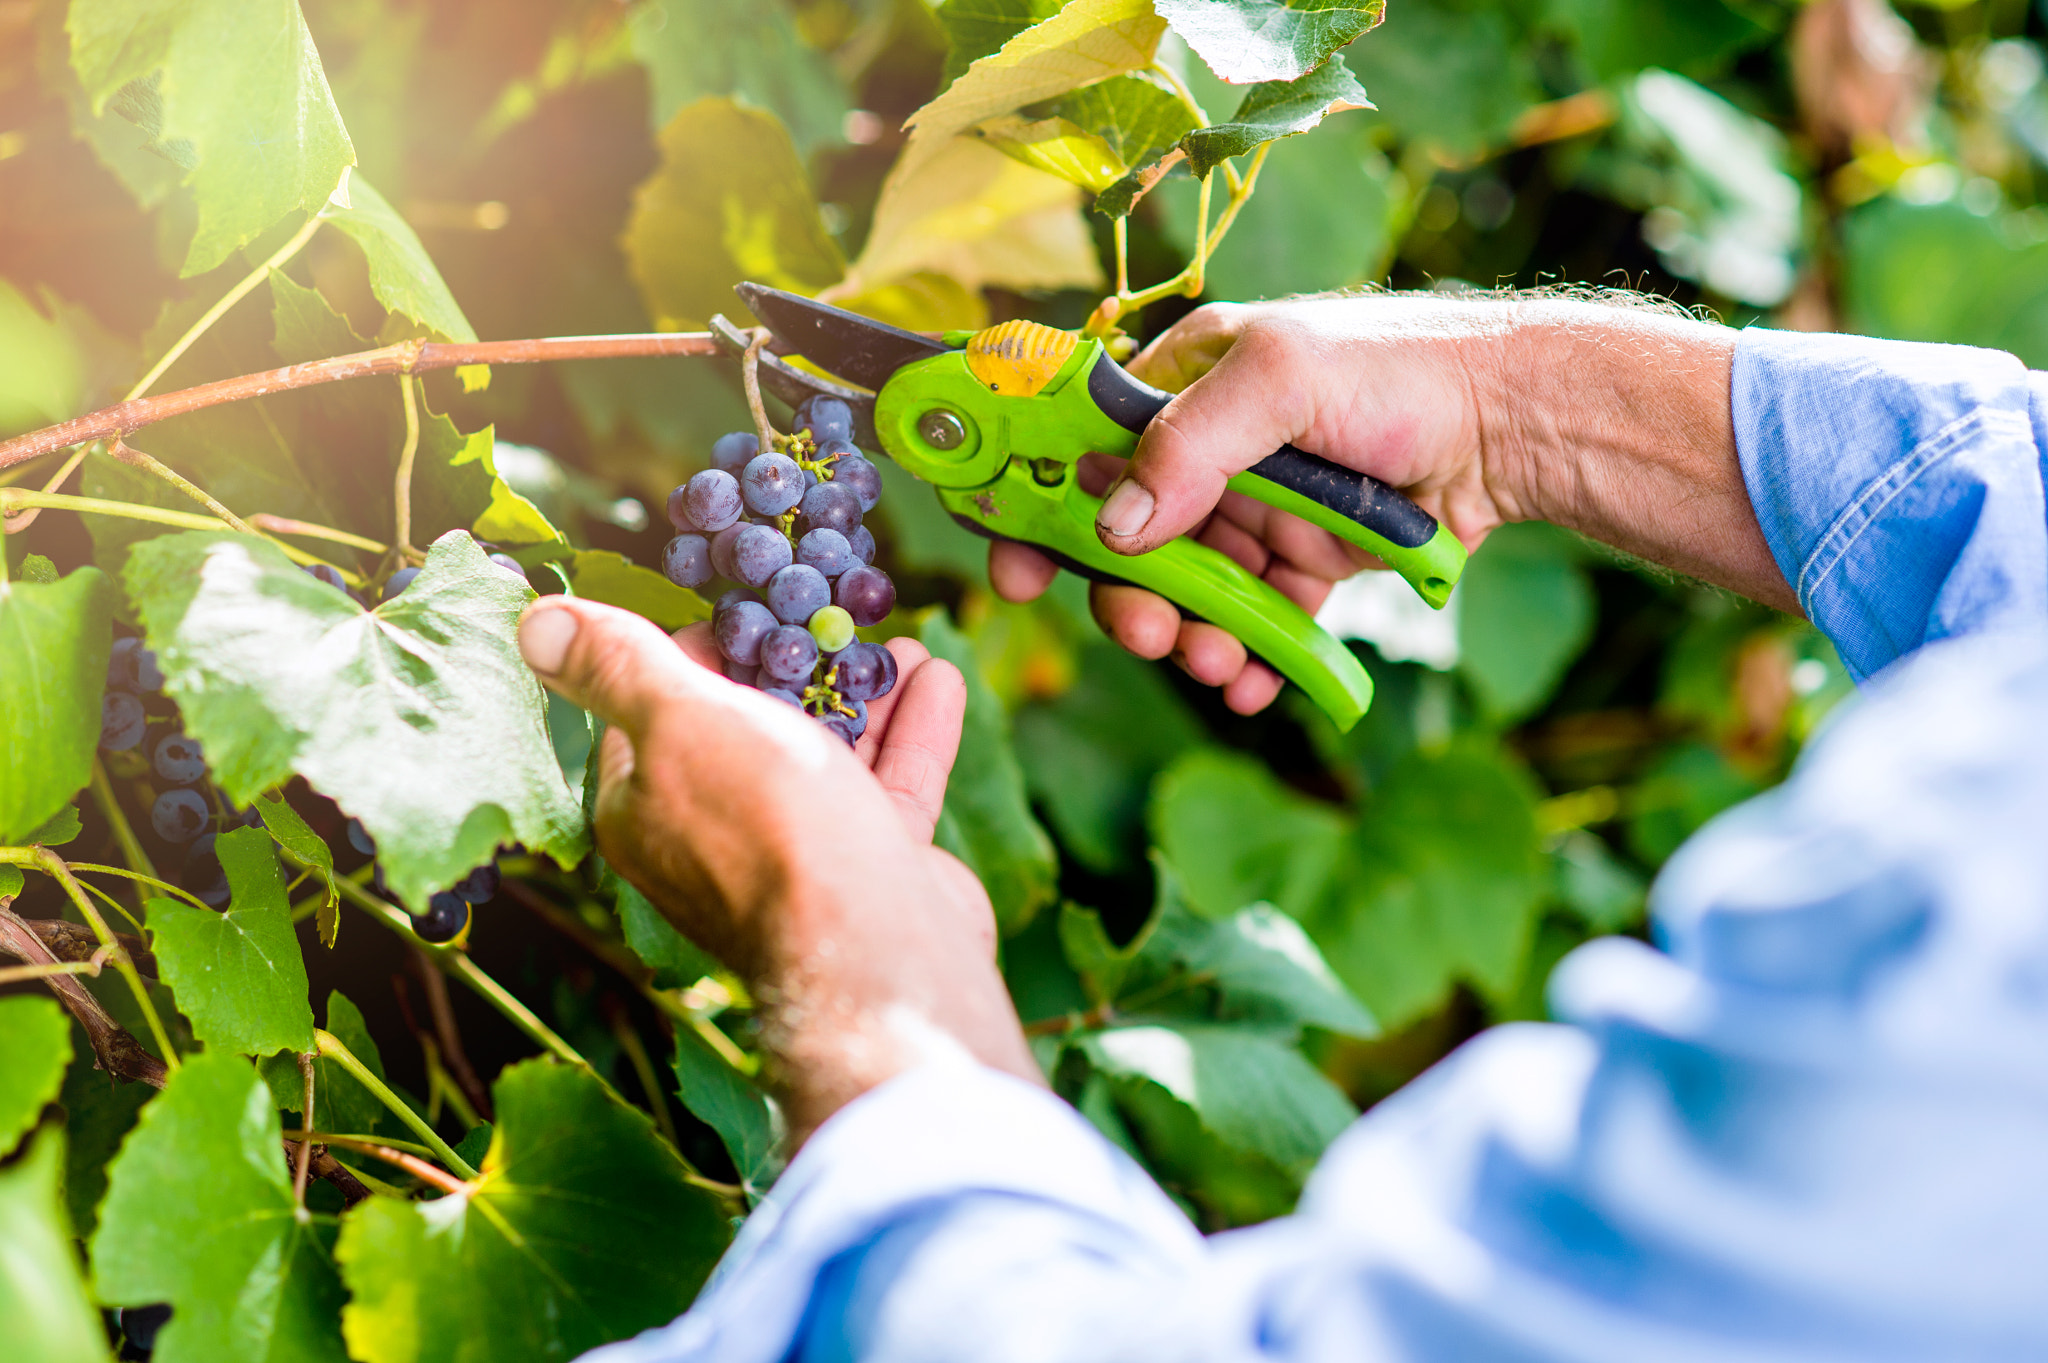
234 93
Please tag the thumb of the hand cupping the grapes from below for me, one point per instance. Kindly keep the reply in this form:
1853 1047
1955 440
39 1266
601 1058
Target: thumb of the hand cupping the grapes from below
611 662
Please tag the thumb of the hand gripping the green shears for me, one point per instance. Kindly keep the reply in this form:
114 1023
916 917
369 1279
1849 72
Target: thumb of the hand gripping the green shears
1228 421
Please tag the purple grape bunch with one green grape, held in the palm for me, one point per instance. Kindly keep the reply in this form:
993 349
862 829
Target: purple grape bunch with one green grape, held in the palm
785 527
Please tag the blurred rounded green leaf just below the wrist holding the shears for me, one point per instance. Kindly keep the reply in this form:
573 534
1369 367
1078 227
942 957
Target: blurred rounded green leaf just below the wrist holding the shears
1525 611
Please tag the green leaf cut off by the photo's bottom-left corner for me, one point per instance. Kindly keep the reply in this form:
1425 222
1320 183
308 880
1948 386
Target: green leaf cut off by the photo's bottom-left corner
44 1301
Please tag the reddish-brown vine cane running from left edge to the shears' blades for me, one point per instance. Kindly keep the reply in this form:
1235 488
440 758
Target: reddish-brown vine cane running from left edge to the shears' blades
411 357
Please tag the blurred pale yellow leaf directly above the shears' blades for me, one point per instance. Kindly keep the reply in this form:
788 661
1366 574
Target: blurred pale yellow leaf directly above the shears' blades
982 218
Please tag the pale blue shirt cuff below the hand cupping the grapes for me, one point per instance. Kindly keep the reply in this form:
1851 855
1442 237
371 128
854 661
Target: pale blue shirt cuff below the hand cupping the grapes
929 1137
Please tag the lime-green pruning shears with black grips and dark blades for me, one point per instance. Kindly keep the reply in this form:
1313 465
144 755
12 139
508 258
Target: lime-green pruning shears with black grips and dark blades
996 423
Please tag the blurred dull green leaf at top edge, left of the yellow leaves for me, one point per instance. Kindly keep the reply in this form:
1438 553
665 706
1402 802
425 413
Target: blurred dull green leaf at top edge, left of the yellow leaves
753 52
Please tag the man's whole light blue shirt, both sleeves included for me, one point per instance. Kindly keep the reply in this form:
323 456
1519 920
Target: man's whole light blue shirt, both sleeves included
1811 1127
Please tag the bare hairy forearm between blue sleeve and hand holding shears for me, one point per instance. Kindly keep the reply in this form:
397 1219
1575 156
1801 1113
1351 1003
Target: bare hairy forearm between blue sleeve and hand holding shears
1617 423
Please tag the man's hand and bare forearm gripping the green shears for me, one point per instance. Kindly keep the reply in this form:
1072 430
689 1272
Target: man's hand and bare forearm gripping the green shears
1486 410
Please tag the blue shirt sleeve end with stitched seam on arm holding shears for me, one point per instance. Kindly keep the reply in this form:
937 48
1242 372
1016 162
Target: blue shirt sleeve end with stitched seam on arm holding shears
1897 484
